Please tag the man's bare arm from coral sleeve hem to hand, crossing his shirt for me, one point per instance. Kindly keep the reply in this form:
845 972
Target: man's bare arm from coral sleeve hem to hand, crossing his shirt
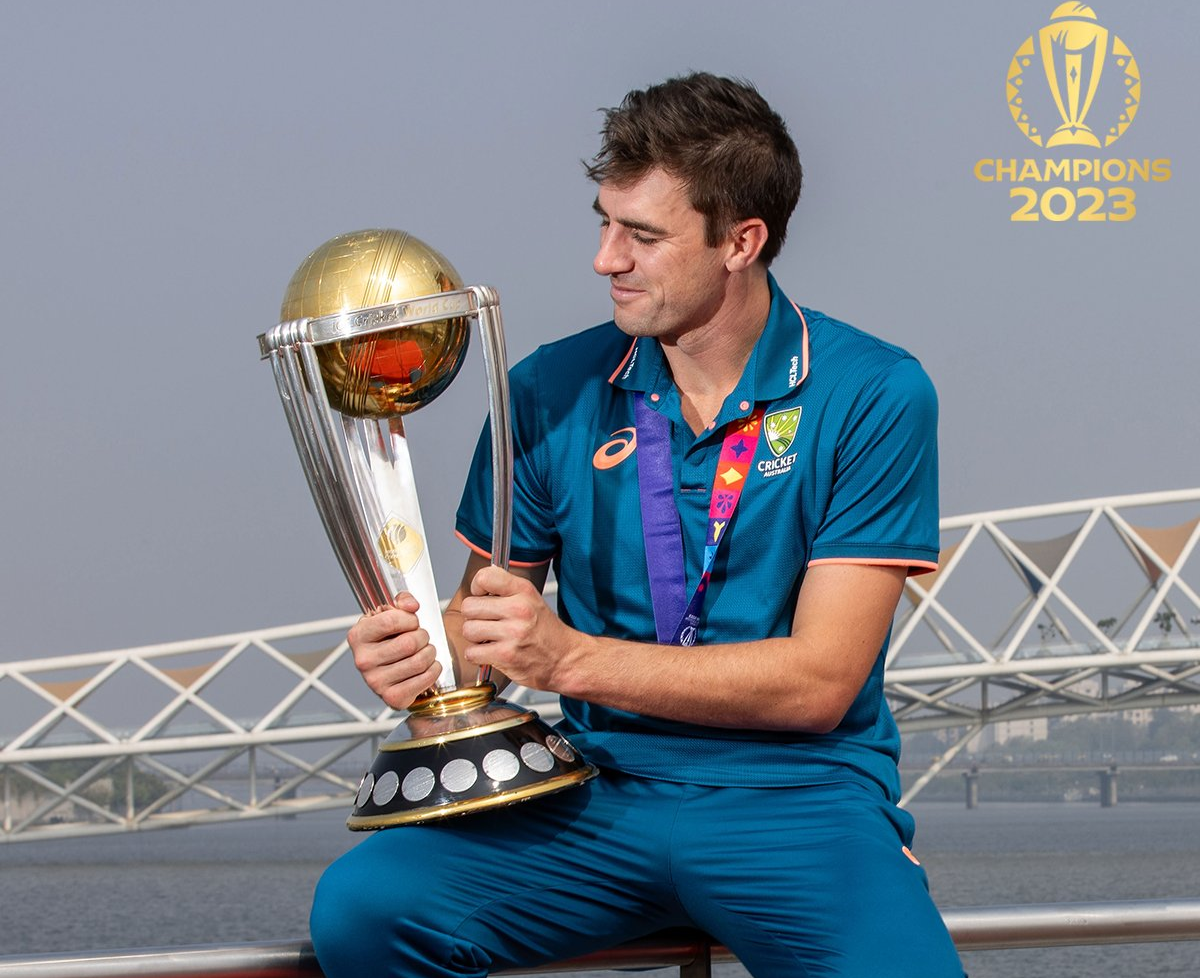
803 682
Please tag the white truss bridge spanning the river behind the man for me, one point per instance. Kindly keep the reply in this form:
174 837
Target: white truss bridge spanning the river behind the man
1042 611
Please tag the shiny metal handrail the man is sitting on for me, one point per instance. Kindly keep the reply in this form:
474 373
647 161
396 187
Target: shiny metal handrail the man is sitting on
1035 926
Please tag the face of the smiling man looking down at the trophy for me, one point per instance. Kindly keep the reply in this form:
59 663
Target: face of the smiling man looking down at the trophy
665 280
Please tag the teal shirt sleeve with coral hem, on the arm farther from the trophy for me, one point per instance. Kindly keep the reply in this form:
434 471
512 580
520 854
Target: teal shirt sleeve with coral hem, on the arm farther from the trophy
883 503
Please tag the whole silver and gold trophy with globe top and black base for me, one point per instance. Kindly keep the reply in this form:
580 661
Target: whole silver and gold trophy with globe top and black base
375 326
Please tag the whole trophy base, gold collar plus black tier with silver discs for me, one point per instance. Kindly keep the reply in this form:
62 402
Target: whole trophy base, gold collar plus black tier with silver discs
459 752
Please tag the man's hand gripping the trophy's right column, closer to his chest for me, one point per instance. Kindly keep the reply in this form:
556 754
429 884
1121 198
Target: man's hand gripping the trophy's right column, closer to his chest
507 625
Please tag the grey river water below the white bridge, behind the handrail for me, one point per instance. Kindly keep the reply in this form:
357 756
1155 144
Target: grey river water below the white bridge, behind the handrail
253 881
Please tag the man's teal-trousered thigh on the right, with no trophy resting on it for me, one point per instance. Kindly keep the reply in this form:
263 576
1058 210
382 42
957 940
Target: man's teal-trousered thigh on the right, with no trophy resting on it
811 881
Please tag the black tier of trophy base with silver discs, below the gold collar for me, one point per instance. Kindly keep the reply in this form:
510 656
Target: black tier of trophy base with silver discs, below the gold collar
499 765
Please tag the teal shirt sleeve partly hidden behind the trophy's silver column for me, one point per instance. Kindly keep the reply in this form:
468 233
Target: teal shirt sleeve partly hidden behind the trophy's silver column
535 535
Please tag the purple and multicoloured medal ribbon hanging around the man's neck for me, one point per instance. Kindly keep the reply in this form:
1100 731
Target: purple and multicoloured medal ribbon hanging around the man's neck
661 517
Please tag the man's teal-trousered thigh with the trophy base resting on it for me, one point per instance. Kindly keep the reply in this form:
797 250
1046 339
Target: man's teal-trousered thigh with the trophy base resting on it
538 883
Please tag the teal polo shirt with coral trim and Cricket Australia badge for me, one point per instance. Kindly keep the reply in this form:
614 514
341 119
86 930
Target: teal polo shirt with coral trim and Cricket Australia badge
845 471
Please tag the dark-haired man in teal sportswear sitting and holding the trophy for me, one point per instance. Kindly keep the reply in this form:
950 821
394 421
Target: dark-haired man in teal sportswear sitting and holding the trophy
731 491
